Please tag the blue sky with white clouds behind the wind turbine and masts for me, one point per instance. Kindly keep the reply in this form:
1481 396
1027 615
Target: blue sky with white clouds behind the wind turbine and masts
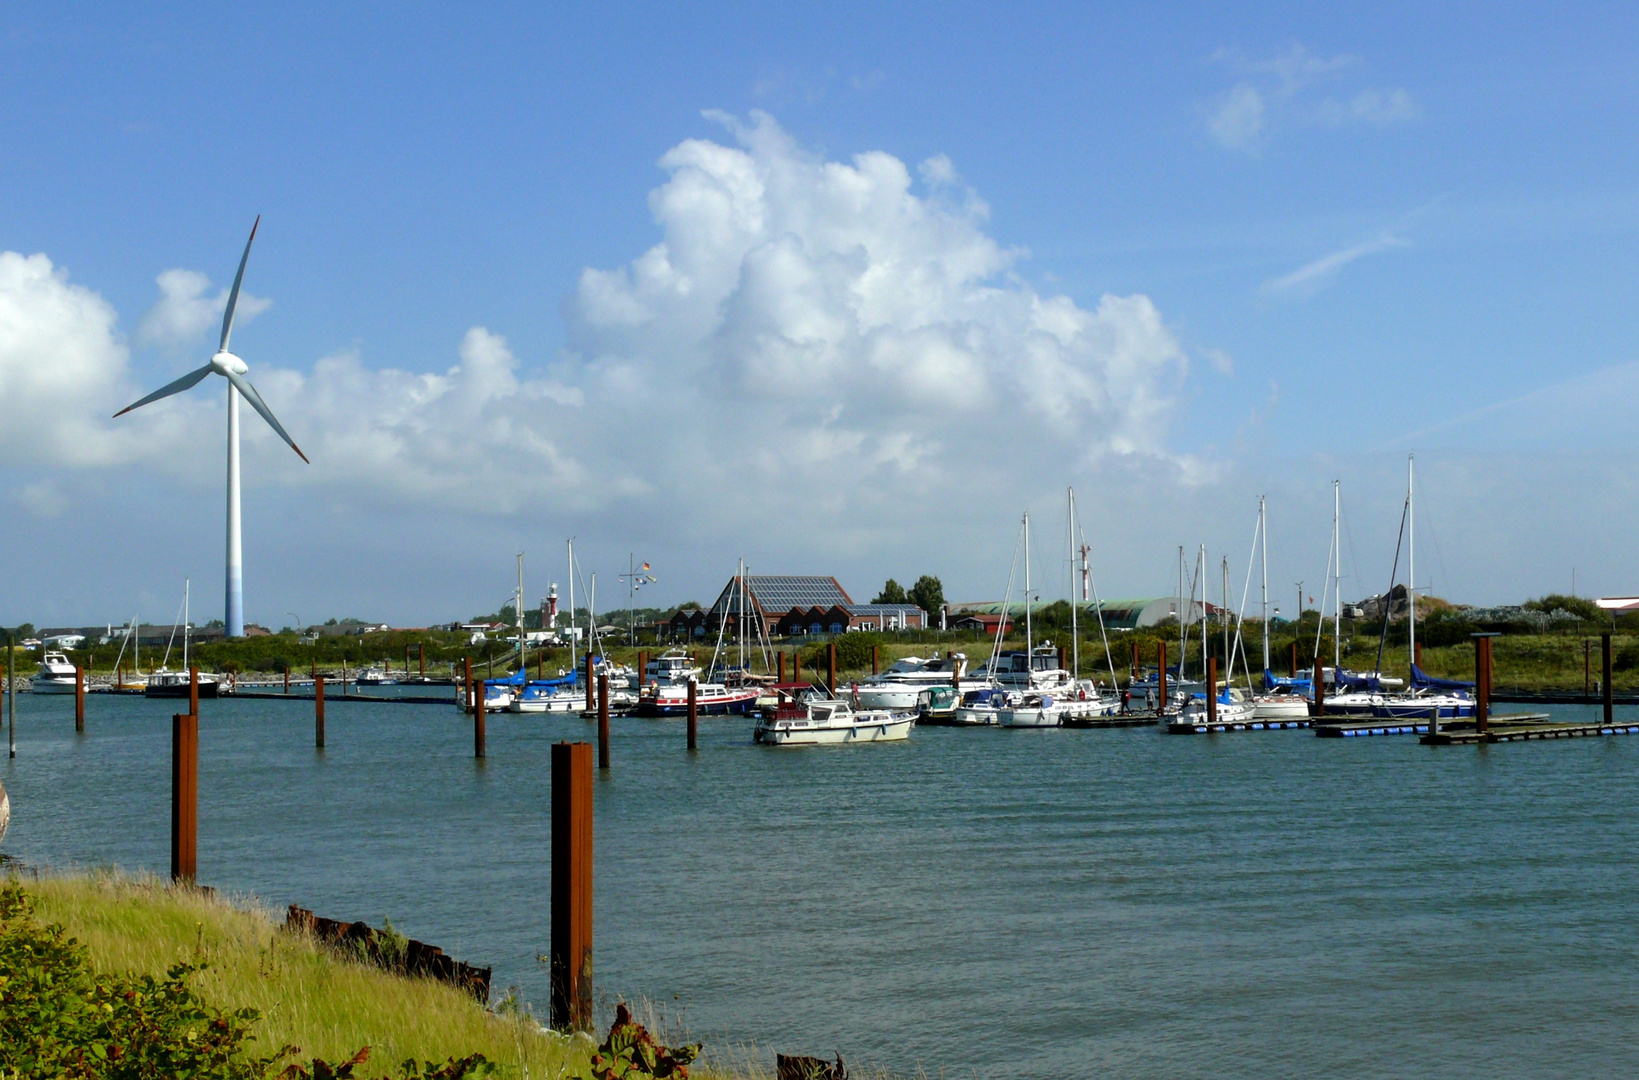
1332 237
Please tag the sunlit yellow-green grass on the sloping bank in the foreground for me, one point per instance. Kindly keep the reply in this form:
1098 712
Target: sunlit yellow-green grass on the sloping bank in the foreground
306 994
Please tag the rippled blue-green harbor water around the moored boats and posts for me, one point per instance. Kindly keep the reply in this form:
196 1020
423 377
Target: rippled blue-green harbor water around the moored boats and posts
994 904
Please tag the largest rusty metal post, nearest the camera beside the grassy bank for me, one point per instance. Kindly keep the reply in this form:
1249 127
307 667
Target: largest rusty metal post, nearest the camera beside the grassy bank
571 958
